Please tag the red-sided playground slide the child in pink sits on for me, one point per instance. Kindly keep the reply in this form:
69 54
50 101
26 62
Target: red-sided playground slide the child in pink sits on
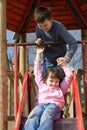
75 123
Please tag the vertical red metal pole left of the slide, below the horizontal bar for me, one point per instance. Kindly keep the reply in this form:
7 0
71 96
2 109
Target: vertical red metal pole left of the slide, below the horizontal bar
15 81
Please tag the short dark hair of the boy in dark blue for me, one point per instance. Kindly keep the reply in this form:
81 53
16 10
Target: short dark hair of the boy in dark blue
42 13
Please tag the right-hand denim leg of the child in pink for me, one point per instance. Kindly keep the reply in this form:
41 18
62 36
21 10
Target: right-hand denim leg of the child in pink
47 118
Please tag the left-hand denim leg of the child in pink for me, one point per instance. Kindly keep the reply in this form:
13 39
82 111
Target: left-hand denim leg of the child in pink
33 119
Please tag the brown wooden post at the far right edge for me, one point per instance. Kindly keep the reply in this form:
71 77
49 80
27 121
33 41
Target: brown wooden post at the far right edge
84 53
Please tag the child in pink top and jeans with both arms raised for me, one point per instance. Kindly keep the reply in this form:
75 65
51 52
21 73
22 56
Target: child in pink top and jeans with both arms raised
50 95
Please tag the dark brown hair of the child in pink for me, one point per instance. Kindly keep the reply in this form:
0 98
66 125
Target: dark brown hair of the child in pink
55 72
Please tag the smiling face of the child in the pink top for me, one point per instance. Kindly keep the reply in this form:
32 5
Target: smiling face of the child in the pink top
53 82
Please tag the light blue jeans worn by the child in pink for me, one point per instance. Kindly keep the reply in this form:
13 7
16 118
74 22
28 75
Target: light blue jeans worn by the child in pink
42 117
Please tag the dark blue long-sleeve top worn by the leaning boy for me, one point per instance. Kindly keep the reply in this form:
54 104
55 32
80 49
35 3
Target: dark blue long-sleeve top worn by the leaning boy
57 33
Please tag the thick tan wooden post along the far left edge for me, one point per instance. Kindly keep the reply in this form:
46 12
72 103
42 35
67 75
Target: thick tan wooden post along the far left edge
3 67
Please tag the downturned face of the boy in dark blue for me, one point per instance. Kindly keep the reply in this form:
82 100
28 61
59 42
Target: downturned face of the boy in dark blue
46 25
